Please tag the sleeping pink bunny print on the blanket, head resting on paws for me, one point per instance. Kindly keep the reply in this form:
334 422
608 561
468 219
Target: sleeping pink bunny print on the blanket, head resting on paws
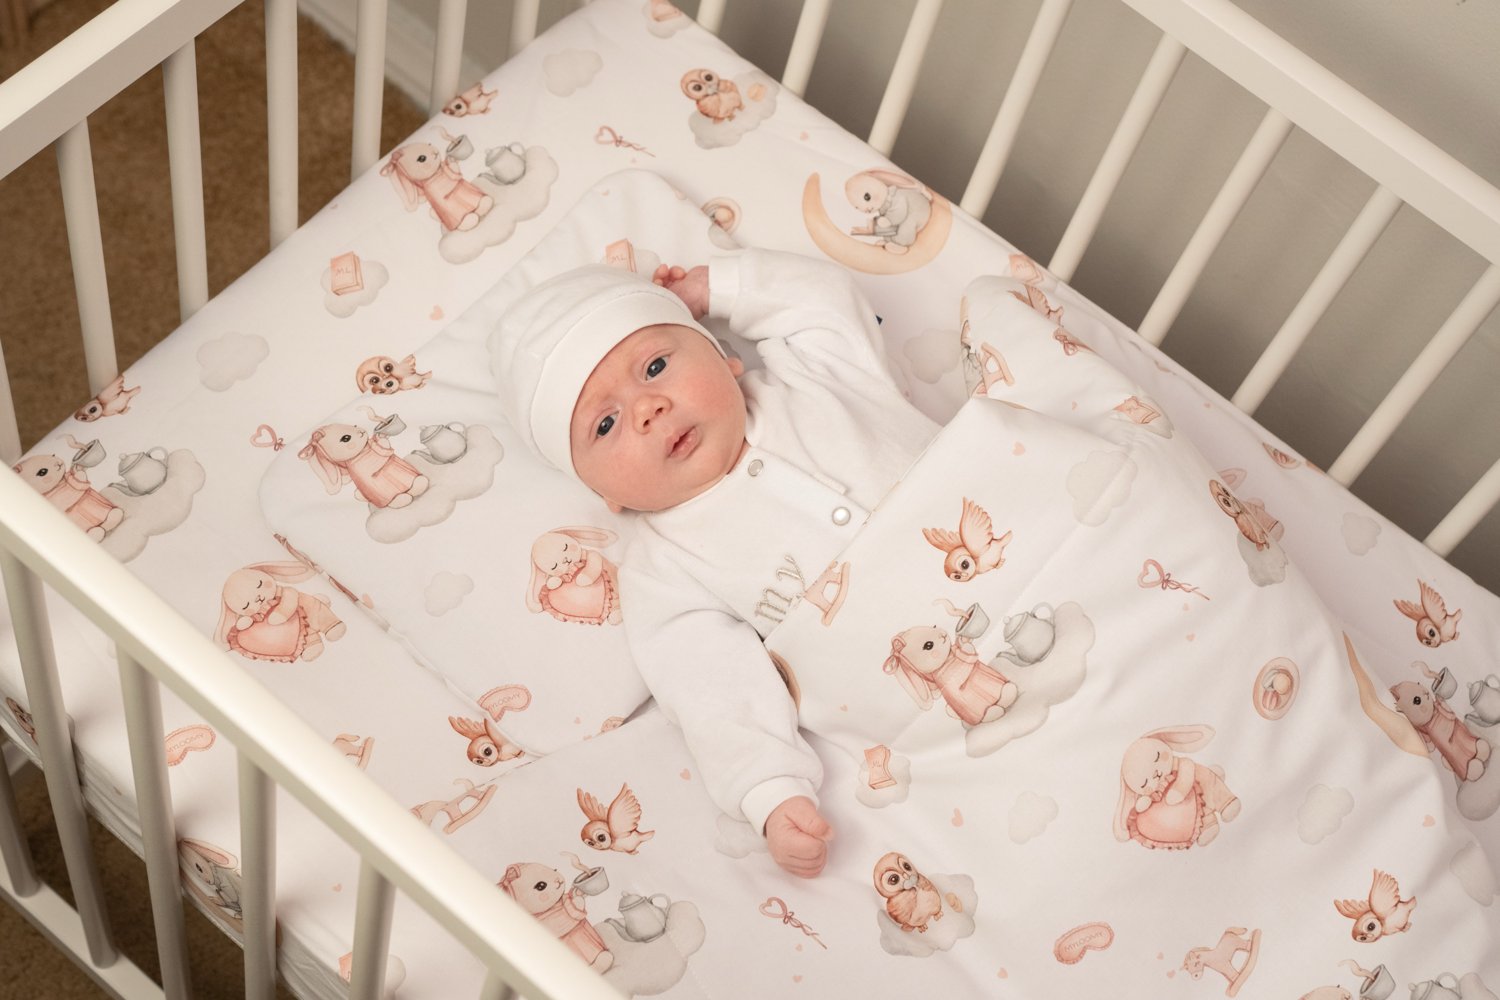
1169 801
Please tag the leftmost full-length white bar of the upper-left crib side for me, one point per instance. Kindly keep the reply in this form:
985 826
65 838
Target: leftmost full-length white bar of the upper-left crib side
86 248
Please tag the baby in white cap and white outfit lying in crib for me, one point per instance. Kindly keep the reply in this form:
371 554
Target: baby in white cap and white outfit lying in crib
746 485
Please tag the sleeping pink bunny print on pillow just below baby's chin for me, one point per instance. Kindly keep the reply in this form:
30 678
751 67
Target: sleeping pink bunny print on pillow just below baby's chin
574 582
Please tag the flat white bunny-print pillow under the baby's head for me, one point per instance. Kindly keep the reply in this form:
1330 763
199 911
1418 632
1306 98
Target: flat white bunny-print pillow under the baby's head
496 570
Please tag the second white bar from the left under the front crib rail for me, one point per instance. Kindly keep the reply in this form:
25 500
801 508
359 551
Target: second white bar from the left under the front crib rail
154 803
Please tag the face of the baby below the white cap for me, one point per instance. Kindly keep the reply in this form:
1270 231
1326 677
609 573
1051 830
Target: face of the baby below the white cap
661 421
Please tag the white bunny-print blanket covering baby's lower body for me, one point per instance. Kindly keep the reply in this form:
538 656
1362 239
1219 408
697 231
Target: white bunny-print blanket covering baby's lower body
1087 731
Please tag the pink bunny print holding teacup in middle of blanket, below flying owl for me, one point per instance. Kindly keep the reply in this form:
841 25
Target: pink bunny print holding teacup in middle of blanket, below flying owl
926 662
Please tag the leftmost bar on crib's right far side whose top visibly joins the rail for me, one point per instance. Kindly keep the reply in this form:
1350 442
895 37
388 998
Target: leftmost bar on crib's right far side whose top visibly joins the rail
1129 134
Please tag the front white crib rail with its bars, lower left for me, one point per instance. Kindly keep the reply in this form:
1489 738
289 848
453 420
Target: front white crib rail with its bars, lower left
40 545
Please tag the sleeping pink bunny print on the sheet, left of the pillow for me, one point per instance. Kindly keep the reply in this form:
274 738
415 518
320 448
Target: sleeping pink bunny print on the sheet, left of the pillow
265 620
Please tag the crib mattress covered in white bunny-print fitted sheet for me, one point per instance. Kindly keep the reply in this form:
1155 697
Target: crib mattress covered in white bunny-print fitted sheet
197 425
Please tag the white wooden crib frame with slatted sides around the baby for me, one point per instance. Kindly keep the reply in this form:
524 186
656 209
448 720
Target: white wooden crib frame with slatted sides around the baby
49 104
